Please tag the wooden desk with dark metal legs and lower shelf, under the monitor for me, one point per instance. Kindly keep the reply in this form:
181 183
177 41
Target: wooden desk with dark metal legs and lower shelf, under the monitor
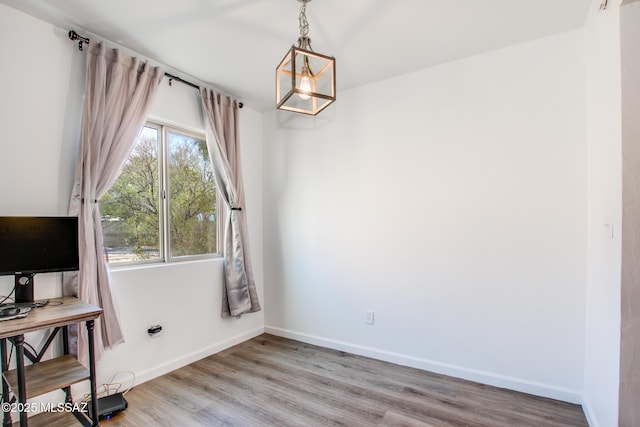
53 374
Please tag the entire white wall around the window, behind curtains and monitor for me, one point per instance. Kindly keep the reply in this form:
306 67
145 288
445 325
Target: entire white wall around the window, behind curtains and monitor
40 109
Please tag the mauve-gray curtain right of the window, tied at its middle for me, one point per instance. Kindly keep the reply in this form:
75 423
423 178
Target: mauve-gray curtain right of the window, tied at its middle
221 122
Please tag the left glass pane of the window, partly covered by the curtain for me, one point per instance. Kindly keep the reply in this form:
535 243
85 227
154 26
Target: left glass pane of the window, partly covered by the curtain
130 209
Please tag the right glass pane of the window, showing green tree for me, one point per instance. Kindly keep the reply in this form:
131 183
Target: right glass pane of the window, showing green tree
192 197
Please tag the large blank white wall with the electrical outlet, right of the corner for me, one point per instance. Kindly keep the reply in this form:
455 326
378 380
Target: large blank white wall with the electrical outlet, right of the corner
452 202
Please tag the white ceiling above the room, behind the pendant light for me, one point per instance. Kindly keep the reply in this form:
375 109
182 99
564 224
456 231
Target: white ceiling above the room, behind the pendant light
235 45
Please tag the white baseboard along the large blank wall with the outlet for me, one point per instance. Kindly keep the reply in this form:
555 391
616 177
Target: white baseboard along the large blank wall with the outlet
490 378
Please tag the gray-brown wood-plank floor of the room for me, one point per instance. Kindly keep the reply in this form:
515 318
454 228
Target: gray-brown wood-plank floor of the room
272 381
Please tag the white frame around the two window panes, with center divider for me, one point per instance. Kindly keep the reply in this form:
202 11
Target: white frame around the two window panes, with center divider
164 194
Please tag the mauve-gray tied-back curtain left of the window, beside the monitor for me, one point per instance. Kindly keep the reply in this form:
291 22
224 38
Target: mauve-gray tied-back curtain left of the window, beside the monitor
118 92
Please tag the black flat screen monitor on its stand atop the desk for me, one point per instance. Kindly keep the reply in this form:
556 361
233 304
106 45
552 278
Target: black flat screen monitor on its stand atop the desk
30 245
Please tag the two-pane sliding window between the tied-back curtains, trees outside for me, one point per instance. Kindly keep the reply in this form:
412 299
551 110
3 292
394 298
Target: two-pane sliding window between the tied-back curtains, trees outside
163 205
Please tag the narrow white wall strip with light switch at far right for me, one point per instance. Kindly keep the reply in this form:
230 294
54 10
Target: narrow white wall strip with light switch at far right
602 351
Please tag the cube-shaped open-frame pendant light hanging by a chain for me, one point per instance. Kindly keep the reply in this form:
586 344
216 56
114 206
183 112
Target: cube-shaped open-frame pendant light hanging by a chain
305 80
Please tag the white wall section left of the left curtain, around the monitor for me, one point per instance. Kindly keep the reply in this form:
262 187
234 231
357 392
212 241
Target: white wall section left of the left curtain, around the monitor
41 93
